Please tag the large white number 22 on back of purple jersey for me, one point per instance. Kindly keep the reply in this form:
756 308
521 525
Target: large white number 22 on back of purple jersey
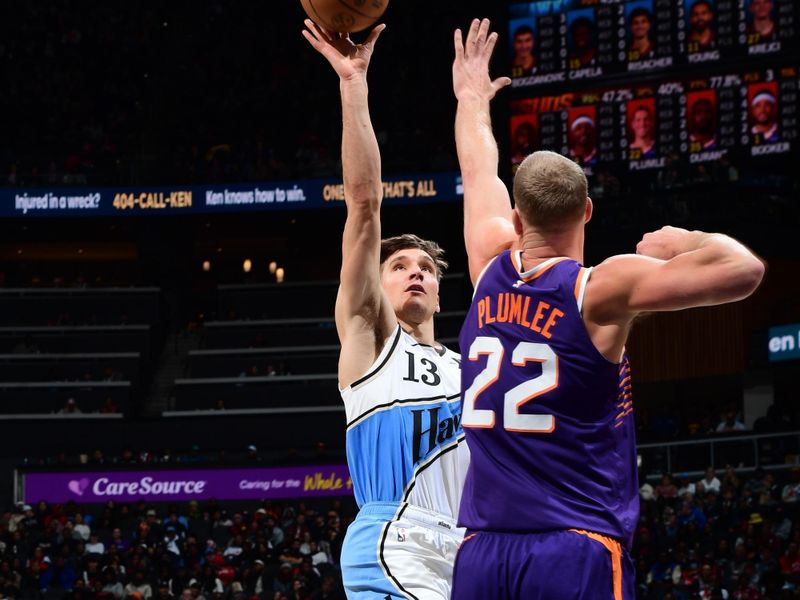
515 398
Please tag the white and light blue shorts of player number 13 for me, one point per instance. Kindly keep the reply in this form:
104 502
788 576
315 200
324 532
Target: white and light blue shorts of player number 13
399 551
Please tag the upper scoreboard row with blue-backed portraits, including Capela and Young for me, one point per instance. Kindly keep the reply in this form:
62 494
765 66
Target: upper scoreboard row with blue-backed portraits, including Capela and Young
560 41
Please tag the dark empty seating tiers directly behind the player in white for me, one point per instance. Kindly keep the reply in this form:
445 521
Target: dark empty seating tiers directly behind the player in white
279 348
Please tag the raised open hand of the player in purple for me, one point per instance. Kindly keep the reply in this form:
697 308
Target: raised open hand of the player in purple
471 65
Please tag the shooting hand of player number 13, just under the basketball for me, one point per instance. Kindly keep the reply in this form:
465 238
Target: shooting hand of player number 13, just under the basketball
347 59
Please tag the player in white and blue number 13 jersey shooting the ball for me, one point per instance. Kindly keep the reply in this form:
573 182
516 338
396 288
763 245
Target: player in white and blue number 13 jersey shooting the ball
405 445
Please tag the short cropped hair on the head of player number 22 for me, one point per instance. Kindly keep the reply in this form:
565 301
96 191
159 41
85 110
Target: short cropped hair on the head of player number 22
550 191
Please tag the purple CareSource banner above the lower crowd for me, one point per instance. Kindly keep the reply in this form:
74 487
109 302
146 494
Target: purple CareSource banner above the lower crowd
190 484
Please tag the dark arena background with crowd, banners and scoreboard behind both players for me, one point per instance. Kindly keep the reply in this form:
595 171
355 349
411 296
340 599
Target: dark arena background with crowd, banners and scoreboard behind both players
171 212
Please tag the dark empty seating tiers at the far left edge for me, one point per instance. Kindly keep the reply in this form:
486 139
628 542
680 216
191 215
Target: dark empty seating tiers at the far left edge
89 345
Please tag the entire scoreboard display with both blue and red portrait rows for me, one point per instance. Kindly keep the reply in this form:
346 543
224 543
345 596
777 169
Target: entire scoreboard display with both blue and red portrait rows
639 83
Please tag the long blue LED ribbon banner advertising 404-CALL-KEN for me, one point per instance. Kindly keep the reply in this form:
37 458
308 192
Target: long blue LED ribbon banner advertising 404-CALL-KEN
208 199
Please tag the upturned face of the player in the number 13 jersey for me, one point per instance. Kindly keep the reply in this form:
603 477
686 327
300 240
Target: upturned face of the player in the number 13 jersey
409 280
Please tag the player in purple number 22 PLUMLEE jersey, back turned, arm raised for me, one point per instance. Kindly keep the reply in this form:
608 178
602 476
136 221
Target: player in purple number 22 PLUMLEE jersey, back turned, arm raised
550 500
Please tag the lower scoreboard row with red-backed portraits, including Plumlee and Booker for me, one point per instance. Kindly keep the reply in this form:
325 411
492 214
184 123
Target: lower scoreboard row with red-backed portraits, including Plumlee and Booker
748 114
